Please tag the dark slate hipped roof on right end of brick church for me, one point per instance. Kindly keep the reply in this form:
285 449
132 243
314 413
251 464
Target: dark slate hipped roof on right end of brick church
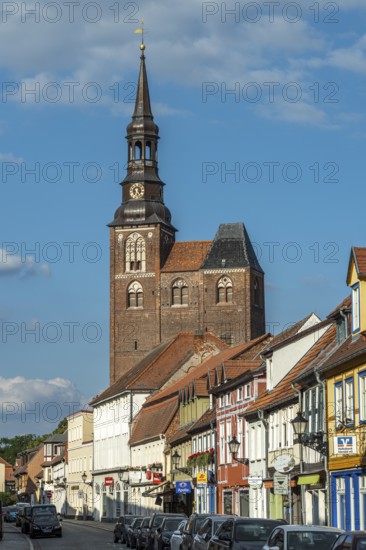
231 248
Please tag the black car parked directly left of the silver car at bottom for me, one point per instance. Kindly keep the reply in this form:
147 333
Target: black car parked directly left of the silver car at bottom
243 533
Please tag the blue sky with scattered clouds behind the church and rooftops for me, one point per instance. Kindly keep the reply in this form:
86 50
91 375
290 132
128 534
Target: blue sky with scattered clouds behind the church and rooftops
261 113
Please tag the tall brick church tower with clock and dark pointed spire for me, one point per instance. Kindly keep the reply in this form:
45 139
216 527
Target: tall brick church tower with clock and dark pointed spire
141 237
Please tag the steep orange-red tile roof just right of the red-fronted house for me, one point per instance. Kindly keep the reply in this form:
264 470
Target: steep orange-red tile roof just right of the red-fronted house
270 399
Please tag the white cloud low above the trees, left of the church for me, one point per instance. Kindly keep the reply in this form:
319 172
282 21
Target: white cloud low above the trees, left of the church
36 405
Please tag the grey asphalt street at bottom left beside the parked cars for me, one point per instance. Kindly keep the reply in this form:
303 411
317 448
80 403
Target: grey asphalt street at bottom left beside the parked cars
74 535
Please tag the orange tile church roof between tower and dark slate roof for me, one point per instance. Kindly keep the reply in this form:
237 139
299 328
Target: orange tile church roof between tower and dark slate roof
187 256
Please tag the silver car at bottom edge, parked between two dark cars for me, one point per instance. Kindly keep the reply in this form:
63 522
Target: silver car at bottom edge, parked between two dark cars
302 537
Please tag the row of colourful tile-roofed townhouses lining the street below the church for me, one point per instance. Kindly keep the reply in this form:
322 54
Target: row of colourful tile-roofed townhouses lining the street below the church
293 405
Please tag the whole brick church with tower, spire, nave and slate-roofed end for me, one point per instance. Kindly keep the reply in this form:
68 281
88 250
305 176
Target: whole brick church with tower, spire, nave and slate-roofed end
160 287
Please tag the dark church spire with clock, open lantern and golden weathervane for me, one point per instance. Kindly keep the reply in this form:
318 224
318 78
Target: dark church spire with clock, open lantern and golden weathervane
142 189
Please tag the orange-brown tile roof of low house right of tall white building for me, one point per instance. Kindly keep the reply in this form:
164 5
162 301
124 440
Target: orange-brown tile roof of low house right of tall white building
153 421
